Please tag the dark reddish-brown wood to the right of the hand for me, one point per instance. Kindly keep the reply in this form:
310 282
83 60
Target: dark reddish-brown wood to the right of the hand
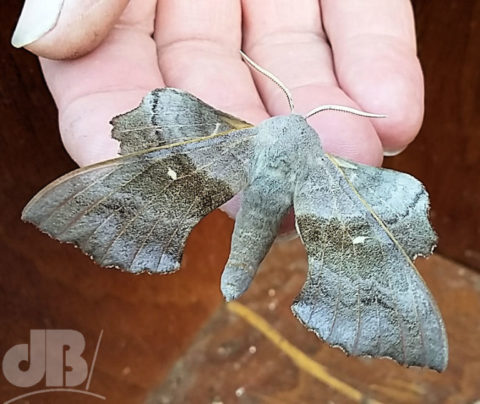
446 154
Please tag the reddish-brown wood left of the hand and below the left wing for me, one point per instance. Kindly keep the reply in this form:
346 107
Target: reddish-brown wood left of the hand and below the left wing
148 321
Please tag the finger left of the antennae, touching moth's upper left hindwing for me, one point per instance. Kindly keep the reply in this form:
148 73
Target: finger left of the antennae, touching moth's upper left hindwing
198 50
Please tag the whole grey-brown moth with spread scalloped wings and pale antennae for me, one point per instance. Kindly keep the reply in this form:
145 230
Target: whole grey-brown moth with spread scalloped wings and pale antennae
362 226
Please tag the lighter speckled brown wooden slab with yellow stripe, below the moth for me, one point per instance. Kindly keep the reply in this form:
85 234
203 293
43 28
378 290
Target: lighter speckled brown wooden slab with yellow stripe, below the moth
231 361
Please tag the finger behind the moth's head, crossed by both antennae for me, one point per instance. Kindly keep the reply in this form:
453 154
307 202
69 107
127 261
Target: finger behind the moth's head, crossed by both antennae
287 39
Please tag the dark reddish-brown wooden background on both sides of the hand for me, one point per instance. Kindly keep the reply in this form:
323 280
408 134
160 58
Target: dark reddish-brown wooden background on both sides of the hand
150 321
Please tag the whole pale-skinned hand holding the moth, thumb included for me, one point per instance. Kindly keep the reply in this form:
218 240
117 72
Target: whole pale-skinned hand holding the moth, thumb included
368 62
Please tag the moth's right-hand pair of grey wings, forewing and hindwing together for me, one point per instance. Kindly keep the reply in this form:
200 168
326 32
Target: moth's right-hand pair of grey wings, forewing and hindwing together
362 291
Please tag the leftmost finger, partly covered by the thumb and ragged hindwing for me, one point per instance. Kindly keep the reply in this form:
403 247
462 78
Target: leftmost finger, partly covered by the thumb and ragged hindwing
112 79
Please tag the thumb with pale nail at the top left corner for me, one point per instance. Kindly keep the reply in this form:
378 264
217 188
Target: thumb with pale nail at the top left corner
65 29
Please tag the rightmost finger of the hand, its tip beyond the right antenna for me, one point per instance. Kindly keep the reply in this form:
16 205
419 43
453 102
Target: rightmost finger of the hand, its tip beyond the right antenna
374 50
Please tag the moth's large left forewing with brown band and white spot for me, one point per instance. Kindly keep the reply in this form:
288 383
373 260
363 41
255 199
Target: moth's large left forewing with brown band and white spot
135 212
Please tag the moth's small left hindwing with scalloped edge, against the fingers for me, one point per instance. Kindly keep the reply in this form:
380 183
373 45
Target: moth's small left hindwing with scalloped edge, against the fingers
169 116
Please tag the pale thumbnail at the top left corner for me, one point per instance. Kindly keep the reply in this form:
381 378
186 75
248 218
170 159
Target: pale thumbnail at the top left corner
37 18
